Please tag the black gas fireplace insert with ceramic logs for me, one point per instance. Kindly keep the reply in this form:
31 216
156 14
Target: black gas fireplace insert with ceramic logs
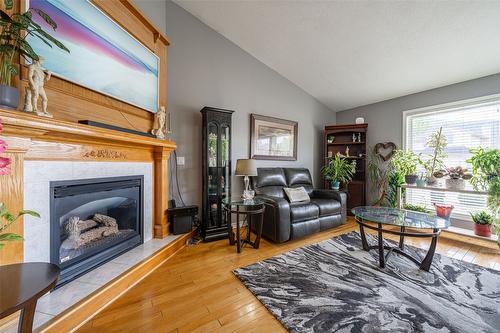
94 220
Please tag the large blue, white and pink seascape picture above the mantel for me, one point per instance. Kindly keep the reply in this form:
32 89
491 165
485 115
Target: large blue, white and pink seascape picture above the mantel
104 57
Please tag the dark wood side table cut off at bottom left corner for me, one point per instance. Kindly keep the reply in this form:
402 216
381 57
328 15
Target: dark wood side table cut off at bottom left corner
21 285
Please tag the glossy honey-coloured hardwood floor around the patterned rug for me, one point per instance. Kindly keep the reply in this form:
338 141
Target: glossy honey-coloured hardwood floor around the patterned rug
195 291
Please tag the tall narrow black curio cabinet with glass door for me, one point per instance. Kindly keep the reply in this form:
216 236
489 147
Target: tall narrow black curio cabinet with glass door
216 168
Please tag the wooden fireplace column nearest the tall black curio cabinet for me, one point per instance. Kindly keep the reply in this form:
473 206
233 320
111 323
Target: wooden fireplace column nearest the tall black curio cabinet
161 227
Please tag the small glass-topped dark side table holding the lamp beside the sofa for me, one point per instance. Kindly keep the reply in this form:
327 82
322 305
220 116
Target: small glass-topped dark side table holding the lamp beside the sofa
253 210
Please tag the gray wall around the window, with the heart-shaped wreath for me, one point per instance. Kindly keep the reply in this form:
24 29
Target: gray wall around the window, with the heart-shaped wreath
385 118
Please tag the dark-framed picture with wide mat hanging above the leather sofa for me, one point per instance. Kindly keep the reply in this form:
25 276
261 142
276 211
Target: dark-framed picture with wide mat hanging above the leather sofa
273 138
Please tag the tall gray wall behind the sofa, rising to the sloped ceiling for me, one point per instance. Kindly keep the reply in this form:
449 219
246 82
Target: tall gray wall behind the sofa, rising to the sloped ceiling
206 69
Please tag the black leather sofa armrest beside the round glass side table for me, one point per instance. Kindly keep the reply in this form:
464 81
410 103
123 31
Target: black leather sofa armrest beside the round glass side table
276 218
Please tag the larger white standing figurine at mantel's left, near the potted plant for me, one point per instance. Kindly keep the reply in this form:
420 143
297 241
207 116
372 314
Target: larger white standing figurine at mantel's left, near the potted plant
37 76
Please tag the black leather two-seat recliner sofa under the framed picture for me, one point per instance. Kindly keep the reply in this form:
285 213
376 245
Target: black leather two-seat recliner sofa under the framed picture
283 220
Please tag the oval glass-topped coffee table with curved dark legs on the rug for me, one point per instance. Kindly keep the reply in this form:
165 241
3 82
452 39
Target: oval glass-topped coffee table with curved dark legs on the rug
387 218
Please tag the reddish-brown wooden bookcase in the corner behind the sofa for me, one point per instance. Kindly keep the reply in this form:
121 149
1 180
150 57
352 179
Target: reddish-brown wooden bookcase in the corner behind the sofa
350 141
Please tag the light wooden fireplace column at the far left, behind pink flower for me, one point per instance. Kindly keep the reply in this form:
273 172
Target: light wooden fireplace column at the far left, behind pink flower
11 193
